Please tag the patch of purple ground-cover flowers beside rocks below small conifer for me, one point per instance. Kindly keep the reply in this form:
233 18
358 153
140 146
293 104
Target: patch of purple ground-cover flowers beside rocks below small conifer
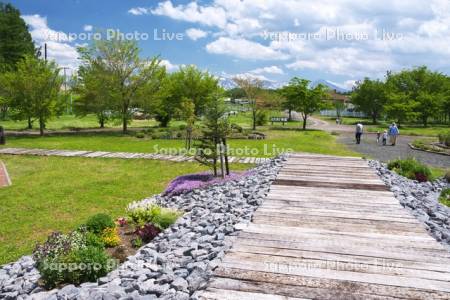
186 183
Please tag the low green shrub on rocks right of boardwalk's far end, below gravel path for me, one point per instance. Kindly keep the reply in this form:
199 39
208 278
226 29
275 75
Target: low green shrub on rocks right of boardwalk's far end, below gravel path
411 168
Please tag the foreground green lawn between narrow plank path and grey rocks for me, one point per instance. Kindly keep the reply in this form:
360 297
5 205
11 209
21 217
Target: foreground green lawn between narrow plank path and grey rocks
52 193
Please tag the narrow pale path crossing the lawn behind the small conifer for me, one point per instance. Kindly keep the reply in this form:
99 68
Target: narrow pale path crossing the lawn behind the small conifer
121 155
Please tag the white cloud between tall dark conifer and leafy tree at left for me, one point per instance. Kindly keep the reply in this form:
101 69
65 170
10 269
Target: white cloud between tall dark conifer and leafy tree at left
58 43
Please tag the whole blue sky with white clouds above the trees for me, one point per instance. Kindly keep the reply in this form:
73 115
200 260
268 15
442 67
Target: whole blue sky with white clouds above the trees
338 40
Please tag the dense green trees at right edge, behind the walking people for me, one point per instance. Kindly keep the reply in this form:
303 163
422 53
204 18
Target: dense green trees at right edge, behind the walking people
416 95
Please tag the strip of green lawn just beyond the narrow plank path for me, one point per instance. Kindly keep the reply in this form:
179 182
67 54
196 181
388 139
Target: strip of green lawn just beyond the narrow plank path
276 141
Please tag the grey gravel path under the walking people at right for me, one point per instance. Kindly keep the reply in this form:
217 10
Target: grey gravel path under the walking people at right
370 148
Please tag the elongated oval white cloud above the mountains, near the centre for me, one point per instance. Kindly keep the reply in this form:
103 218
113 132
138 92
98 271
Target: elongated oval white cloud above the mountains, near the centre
245 49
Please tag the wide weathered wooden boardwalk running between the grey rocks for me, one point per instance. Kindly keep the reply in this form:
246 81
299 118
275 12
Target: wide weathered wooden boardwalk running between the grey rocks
330 229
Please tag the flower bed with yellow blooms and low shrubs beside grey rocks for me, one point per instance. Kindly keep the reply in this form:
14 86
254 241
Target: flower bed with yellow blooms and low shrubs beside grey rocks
97 247
